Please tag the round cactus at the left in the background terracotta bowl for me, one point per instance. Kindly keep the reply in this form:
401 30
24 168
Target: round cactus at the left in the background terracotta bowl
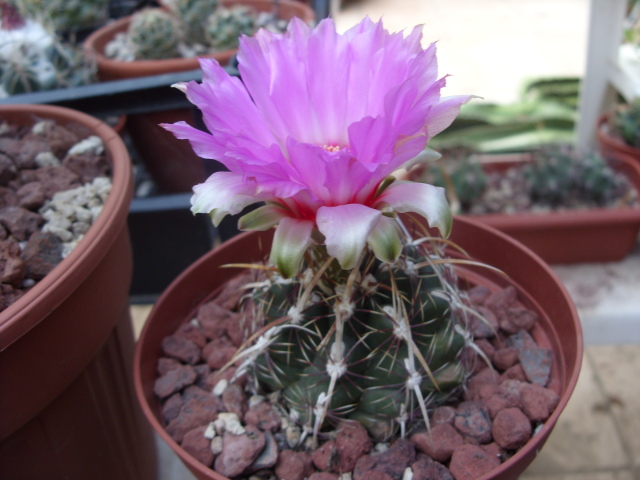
154 34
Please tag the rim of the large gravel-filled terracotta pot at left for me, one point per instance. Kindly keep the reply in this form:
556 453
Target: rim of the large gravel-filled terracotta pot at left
30 309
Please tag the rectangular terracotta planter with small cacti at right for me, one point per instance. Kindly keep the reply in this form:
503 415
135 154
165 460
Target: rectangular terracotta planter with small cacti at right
578 236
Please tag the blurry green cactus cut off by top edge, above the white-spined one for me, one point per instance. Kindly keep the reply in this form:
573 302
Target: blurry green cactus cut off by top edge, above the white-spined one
66 15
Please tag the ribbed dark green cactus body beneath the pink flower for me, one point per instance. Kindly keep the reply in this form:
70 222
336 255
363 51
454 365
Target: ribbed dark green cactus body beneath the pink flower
378 344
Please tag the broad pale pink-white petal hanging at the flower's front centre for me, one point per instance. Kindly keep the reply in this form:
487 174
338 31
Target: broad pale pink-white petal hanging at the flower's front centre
346 229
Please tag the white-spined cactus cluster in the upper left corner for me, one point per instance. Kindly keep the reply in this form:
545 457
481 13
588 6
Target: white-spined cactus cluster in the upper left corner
33 58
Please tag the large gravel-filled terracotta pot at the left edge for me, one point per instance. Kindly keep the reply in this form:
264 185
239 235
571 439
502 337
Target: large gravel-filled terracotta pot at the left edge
67 408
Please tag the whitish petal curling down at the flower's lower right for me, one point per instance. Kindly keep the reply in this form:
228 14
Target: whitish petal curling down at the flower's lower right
421 198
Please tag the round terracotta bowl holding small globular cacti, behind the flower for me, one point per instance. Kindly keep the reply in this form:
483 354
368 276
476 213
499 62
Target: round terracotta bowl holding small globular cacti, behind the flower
110 69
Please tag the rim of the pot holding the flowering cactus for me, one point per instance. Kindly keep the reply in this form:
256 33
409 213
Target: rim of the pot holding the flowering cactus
571 363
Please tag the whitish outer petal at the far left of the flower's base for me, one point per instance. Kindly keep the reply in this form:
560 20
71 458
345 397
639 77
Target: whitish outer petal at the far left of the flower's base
223 193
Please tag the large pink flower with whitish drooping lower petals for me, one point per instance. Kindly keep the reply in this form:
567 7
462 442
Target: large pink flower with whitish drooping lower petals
314 128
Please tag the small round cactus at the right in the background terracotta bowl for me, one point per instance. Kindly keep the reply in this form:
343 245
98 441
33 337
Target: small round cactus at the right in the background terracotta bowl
225 26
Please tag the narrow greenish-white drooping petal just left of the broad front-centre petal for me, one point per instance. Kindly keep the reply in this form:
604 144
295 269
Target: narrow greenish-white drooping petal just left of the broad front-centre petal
291 240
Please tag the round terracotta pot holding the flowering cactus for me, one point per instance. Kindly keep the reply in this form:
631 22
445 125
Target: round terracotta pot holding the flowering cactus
558 329
